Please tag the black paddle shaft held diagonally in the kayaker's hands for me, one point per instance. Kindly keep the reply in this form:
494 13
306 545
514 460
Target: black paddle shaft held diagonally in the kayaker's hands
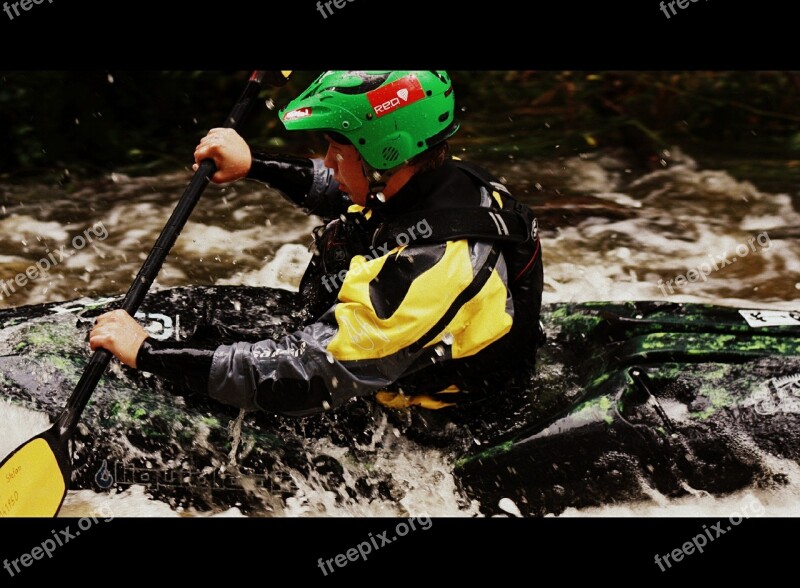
100 359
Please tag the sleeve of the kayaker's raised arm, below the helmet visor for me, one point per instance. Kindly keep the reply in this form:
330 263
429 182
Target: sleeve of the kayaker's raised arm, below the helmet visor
305 182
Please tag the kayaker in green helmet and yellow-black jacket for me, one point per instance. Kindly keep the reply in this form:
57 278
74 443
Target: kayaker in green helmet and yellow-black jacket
426 280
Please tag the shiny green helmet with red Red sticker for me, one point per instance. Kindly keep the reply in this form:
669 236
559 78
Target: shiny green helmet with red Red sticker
388 116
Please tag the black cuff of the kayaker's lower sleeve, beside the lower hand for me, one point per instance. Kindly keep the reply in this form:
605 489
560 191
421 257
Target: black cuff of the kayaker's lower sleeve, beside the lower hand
185 365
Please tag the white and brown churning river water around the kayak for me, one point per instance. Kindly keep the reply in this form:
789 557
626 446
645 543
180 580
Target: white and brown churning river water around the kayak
608 234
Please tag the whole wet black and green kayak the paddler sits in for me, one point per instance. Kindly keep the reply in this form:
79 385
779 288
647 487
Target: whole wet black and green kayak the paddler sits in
626 399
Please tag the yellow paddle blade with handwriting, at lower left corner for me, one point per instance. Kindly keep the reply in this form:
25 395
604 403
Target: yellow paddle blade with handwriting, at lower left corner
31 482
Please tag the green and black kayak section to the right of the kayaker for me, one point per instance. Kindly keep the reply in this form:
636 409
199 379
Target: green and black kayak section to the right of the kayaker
635 400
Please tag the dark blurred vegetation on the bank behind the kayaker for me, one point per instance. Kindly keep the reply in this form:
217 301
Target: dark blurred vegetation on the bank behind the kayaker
64 123
